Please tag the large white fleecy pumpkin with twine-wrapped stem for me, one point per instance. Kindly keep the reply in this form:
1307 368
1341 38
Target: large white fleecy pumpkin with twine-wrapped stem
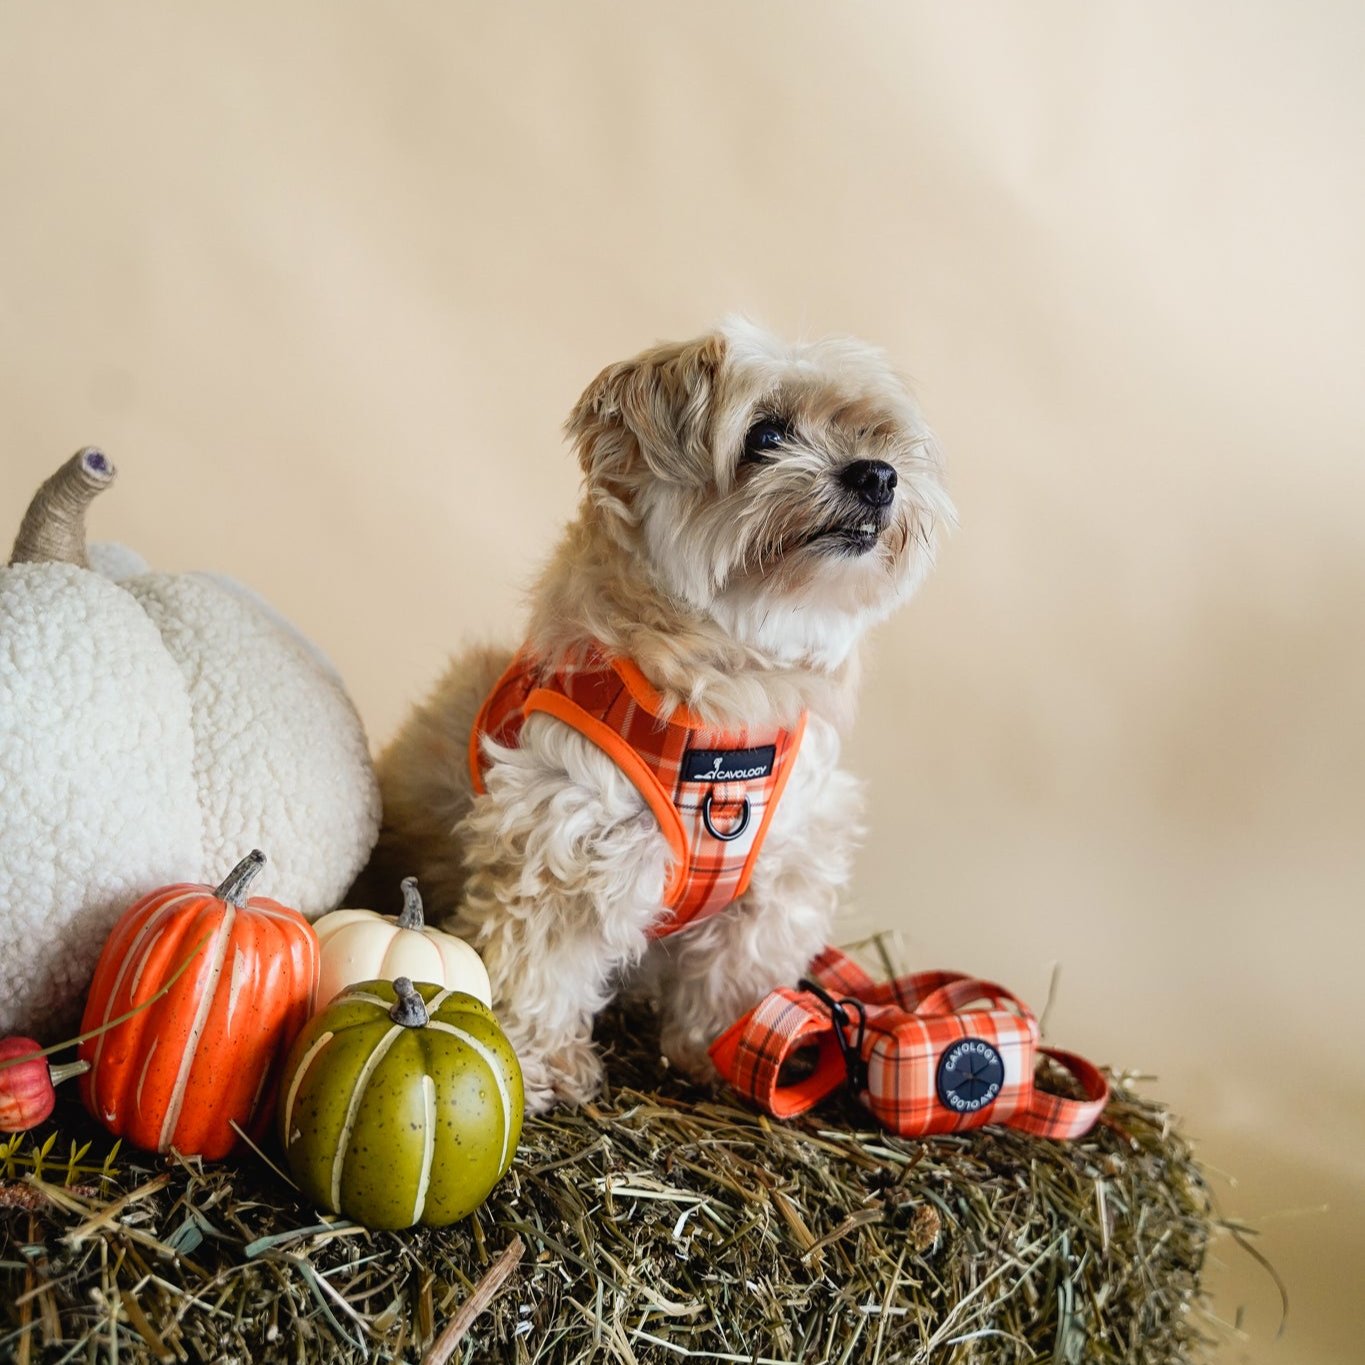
151 730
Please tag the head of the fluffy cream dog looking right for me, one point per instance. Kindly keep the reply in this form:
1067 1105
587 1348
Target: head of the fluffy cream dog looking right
791 492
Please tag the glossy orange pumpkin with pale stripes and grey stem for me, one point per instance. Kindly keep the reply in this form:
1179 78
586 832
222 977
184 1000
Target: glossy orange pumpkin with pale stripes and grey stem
179 1072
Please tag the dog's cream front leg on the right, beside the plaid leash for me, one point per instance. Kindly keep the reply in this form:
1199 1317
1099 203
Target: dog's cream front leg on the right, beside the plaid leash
709 977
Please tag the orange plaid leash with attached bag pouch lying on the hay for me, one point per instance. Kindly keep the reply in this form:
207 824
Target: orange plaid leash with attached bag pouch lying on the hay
932 1053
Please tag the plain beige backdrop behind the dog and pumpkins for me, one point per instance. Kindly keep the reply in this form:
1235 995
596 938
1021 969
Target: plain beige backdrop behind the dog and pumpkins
326 278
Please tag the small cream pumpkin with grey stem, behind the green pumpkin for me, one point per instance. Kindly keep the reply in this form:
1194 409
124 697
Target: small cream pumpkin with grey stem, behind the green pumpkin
365 947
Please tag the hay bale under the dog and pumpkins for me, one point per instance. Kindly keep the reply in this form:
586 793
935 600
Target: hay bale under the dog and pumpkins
660 1224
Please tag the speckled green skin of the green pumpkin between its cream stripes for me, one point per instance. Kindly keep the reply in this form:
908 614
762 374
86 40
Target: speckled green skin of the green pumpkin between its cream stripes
380 1175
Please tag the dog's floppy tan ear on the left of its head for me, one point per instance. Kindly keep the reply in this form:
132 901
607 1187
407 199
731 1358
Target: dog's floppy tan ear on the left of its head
649 416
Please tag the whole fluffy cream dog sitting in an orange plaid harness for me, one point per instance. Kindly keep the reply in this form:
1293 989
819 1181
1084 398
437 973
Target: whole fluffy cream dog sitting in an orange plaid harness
750 510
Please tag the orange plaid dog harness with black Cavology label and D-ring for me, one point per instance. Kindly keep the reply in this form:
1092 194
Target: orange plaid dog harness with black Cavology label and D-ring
713 792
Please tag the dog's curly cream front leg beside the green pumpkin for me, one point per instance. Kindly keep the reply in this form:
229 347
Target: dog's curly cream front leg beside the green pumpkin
566 874
